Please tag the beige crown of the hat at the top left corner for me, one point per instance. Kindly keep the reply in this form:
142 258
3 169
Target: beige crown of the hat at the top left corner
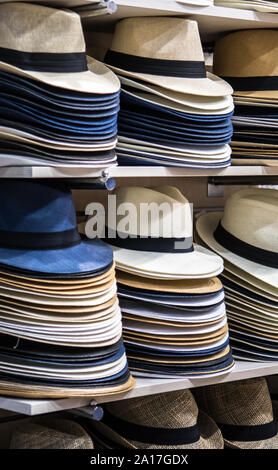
36 28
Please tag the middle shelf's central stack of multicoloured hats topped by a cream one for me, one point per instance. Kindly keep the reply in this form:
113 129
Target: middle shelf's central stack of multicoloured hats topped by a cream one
174 320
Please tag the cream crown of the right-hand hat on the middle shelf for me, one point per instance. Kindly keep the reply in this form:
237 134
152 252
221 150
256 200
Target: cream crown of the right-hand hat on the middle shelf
252 217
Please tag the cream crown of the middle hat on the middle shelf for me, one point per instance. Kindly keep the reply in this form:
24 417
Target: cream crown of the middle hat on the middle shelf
152 213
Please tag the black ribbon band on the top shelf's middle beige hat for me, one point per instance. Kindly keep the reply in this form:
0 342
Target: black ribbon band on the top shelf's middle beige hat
162 67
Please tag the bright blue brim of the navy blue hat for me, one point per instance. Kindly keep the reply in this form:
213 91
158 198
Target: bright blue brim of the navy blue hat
89 255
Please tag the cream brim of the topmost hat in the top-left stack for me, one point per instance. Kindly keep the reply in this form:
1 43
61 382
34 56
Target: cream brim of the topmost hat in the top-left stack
98 79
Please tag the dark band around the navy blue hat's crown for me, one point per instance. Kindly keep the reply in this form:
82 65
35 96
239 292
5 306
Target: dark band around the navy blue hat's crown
39 240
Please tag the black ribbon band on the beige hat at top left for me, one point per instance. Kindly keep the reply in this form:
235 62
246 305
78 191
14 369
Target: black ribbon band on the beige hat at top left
45 61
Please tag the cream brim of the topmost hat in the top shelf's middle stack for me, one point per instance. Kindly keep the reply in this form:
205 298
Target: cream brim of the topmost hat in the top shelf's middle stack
210 86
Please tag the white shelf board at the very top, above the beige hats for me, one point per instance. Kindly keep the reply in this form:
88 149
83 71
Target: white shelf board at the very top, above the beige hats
212 20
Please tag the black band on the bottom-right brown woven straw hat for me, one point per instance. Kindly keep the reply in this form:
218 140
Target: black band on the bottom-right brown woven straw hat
259 432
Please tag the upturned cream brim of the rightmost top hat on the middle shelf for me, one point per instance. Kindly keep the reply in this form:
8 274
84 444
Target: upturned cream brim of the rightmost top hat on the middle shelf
206 225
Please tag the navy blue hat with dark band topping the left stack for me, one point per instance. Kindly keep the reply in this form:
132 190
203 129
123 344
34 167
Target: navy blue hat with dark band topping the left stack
38 231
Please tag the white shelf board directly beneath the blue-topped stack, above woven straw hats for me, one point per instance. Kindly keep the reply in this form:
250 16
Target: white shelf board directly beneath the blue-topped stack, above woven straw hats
242 370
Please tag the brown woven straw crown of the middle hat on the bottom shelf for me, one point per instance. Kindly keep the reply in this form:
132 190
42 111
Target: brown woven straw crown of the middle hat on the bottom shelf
165 410
